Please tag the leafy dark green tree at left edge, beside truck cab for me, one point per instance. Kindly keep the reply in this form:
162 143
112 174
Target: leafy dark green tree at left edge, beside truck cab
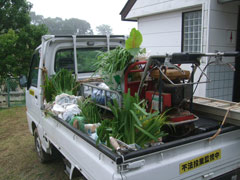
18 38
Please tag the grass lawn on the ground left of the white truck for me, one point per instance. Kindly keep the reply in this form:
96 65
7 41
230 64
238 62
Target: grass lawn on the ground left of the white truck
18 159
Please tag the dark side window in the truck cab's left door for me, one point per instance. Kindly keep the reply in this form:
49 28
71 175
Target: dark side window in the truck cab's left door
33 74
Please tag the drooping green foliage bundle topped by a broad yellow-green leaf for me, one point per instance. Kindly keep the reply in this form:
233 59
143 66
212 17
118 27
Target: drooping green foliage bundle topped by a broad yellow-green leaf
111 65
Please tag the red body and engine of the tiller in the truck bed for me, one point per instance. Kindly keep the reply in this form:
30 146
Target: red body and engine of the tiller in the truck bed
172 97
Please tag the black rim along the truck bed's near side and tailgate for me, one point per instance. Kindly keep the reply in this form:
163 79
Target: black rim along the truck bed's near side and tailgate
204 129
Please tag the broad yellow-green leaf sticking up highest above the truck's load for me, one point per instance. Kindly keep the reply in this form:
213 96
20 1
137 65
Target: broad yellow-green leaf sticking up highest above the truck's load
134 40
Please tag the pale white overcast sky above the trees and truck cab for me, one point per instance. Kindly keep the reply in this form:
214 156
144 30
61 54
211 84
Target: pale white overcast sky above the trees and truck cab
96 12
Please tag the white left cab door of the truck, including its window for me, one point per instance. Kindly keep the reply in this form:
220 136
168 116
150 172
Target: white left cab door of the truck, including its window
33 90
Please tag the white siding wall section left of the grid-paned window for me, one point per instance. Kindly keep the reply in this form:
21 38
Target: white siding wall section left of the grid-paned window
161 33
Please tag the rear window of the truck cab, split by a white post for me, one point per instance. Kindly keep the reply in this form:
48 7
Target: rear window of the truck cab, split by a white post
86 57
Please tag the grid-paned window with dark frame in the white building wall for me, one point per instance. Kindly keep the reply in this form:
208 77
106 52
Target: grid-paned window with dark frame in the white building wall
192 23
